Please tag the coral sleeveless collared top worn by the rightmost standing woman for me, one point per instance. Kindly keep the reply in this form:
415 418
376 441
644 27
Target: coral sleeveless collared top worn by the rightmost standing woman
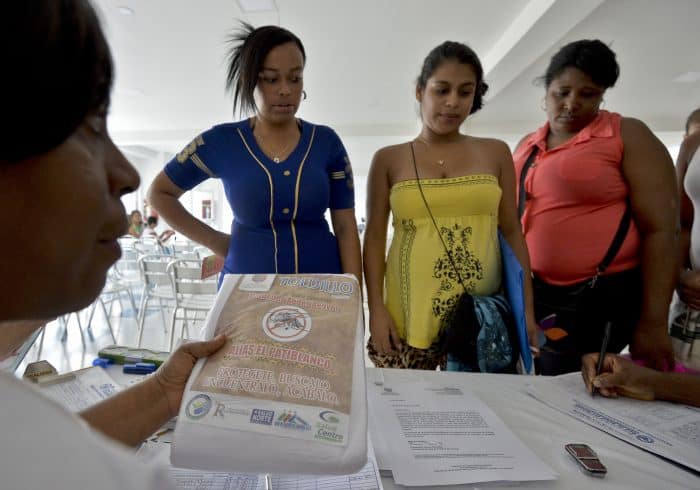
576 197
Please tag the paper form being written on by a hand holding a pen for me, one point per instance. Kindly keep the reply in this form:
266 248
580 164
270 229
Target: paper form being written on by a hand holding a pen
666 429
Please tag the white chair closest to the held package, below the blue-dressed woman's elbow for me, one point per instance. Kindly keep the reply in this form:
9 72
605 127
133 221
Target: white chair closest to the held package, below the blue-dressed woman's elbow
192 294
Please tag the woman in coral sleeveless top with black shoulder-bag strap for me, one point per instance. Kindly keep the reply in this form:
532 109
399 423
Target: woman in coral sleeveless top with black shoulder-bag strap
581 173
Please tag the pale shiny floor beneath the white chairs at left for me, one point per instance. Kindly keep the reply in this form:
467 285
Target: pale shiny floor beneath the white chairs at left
69 354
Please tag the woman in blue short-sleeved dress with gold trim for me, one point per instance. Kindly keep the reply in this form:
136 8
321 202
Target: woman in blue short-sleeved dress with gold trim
280 173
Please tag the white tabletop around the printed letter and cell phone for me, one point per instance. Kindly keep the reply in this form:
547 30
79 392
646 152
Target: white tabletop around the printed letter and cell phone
546 430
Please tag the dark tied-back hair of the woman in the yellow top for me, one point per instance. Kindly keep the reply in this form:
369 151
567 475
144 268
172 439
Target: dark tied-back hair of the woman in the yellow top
451 50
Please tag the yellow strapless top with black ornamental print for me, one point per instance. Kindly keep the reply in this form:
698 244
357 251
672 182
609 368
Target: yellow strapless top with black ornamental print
421 284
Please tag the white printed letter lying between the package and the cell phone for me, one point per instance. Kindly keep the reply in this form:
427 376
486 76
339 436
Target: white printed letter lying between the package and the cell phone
445 435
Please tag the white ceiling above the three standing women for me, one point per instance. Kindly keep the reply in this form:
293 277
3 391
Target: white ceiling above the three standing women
364 55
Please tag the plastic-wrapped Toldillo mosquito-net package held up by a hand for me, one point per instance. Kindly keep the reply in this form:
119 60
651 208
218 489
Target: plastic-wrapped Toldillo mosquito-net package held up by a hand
286 394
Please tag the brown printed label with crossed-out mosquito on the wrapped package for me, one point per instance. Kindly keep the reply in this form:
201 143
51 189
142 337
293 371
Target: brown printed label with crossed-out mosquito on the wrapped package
286 367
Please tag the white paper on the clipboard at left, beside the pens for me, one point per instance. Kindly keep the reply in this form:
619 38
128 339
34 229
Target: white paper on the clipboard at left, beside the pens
87 387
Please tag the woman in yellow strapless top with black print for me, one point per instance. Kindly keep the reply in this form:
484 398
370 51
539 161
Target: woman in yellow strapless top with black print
469 184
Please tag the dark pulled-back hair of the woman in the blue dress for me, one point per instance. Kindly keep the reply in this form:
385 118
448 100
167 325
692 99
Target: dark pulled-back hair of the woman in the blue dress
249 46
